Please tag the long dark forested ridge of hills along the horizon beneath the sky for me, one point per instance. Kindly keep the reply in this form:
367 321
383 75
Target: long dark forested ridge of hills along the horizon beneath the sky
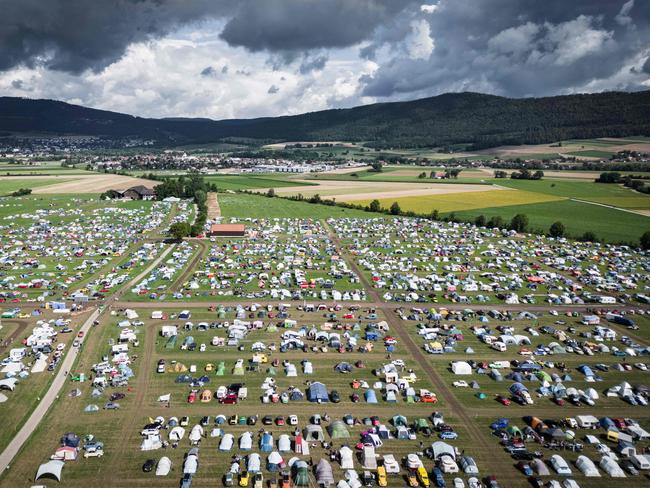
453 118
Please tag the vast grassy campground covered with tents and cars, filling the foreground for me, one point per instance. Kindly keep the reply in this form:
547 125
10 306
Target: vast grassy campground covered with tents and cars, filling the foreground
376 310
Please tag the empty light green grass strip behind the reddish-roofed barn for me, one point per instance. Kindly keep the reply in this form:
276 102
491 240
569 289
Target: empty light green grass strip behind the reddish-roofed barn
254 206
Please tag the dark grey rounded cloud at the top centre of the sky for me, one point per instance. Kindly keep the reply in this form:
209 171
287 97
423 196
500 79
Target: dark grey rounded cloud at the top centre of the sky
297 25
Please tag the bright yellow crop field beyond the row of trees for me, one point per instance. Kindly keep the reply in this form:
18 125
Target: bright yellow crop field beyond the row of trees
452 202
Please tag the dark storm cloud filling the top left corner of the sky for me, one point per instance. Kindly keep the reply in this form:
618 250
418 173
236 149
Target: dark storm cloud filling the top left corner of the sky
73 35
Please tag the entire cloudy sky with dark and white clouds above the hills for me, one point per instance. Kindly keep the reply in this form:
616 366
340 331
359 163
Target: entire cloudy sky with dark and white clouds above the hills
251 58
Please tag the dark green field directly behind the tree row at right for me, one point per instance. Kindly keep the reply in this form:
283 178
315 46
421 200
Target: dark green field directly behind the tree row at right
608 224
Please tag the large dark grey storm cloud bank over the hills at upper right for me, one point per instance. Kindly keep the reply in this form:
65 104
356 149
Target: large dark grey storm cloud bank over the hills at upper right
518 48
